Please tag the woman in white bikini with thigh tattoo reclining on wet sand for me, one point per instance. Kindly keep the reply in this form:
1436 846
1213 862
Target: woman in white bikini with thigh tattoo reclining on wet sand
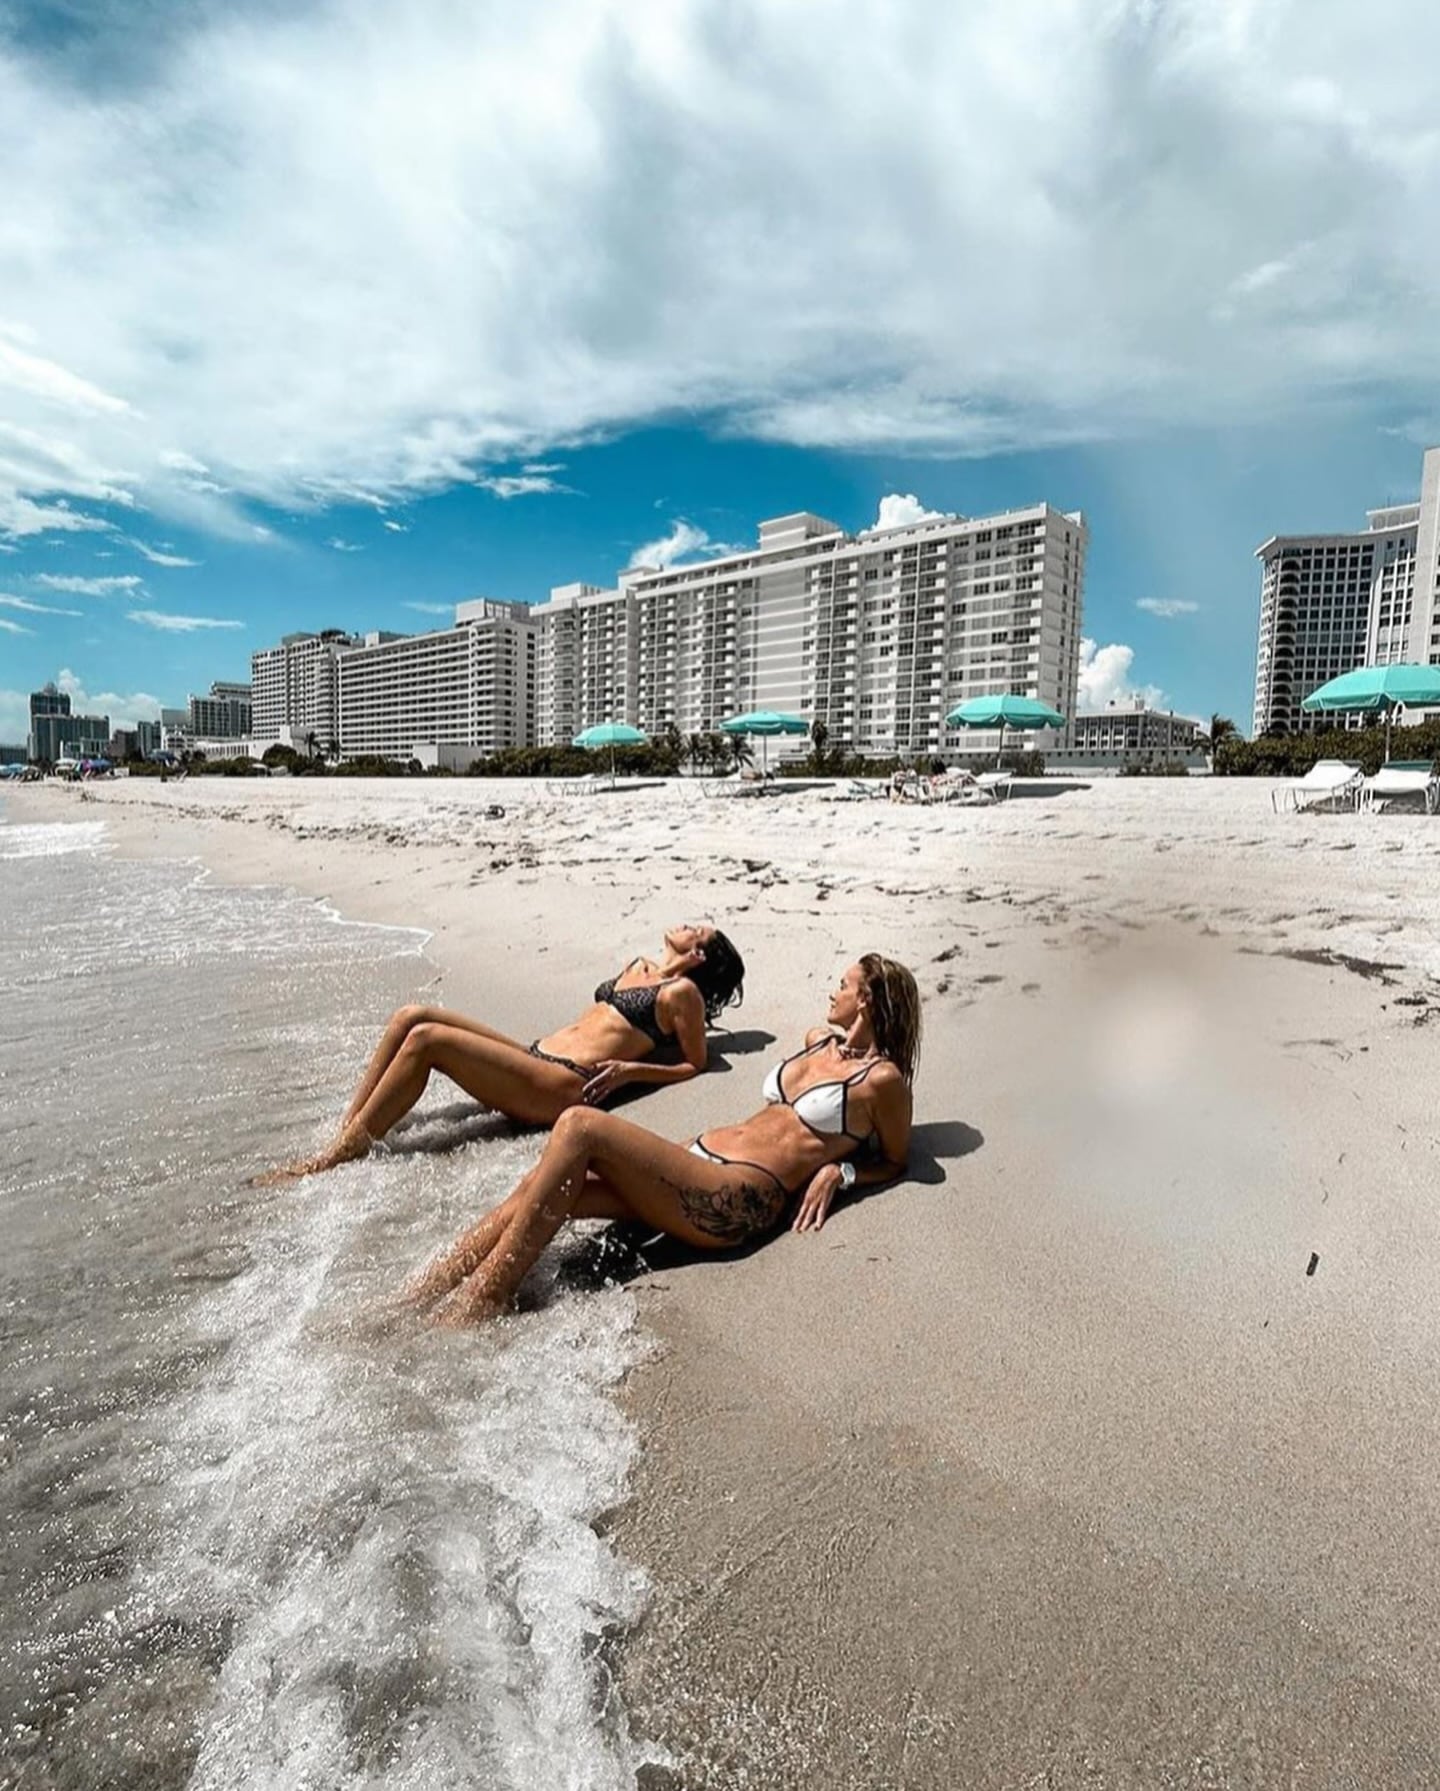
844 1093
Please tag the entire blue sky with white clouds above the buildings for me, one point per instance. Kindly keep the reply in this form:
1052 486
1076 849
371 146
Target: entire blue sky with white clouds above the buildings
336 316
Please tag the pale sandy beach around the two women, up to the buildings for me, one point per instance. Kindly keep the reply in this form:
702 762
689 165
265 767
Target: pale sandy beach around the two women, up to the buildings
1097 1453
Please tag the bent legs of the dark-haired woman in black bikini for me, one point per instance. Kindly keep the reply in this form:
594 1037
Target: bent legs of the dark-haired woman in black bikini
493 1070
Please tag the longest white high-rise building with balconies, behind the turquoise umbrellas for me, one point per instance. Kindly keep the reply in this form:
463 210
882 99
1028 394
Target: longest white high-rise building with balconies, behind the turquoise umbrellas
875 635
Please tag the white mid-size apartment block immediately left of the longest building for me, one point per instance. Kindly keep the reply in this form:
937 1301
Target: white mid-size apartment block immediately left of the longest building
472 687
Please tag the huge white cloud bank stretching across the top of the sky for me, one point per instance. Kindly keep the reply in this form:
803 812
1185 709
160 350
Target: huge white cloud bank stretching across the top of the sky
350 250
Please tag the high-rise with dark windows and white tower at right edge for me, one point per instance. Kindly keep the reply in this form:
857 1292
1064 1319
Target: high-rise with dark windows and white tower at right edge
1337 603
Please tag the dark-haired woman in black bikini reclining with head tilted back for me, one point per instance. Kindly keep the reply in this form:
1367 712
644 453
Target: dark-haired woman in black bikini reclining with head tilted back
649 1007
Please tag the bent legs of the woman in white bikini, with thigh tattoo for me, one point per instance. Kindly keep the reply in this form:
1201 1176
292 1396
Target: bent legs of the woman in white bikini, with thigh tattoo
597 1165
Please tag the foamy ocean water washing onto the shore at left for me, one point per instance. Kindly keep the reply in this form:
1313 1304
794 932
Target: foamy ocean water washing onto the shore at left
259 1530
